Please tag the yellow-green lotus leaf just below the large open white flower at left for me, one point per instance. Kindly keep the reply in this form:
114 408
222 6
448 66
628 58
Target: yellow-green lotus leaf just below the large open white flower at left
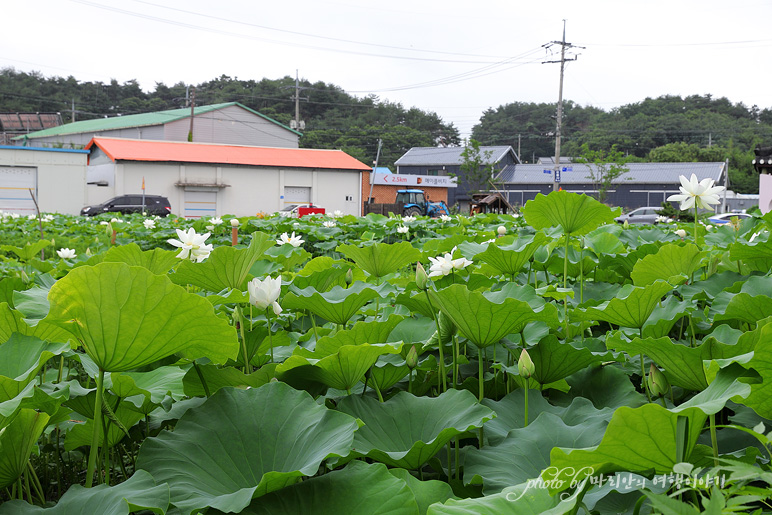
226 267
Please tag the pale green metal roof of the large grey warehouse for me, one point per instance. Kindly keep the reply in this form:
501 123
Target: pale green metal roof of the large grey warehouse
139 120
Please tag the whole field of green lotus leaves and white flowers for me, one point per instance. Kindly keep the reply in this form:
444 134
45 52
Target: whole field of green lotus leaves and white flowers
547 362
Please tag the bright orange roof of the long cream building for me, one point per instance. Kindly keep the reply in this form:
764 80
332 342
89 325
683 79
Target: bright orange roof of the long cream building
184 152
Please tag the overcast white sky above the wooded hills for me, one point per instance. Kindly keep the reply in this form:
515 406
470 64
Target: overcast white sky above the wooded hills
456 58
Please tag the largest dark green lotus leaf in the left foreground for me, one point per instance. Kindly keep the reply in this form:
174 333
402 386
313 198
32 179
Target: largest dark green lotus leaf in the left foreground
242 444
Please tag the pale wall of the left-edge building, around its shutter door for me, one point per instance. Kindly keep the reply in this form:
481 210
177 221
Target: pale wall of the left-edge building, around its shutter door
61 176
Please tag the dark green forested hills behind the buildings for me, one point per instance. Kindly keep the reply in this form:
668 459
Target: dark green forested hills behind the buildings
668 128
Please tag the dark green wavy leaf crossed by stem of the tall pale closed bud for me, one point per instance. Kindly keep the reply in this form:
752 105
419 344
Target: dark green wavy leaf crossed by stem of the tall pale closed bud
510 413
